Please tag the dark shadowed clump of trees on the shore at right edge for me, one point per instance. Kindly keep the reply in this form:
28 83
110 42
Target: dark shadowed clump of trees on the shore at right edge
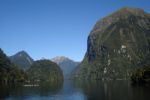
141 75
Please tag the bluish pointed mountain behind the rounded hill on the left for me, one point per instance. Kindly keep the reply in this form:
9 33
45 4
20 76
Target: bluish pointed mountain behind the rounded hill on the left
22 59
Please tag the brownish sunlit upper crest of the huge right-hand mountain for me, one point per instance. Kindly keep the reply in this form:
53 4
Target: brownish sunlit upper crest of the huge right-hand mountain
121 15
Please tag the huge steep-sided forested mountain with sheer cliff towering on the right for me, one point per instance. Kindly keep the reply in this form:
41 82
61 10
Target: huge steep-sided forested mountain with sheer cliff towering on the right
117 44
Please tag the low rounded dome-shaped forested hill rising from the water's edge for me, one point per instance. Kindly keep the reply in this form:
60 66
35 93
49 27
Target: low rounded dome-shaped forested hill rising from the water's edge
45 70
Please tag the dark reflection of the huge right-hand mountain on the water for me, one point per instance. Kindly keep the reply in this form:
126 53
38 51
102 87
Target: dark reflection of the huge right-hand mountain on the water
113 90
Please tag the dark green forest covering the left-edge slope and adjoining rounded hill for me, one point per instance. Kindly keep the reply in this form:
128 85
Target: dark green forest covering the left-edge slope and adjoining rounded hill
40 71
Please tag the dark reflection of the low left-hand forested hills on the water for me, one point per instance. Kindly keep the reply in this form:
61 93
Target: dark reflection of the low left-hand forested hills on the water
20 92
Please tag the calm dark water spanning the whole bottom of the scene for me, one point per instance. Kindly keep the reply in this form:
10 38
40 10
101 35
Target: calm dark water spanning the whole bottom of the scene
77 90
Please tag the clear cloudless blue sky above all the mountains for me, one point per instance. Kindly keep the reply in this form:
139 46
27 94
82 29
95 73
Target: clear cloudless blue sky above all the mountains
49 28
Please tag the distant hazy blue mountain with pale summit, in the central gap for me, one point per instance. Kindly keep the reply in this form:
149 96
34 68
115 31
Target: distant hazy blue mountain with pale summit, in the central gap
67 65
